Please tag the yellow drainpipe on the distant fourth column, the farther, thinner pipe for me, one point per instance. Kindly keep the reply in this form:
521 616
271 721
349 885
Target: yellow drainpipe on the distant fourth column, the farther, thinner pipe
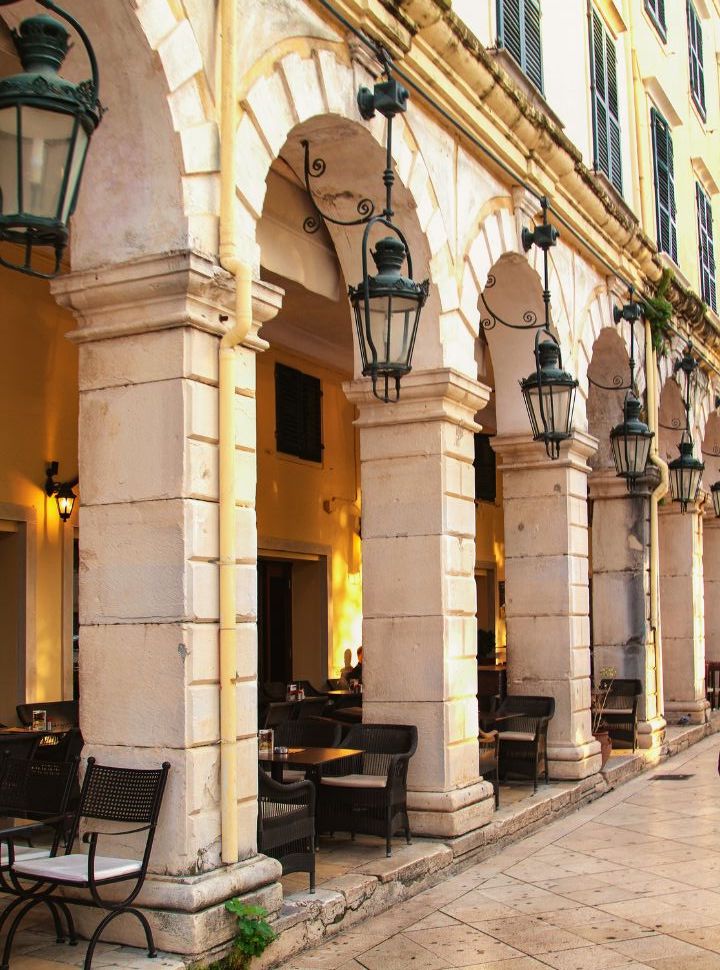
660 490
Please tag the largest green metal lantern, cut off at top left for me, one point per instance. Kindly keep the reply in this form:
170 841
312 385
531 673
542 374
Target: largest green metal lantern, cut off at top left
46 123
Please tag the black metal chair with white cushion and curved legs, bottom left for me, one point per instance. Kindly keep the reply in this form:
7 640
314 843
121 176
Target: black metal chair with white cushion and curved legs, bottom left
130 795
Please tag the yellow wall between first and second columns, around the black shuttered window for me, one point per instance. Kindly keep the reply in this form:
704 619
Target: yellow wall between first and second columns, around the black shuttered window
291 495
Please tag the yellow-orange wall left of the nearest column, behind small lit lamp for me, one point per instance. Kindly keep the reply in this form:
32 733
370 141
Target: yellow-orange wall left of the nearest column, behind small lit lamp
39 408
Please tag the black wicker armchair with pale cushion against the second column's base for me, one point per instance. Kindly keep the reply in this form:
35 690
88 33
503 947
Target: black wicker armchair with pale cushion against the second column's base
367 793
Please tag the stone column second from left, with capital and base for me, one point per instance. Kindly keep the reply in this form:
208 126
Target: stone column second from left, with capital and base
419 630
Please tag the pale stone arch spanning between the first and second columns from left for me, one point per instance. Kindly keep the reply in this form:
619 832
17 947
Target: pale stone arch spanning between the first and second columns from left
300 94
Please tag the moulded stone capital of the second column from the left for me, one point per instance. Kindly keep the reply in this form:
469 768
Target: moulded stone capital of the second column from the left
434 395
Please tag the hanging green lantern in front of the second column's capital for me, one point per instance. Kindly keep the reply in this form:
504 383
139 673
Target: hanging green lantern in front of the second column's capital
387 312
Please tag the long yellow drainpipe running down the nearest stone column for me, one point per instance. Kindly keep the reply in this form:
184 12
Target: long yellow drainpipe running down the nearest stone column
230 260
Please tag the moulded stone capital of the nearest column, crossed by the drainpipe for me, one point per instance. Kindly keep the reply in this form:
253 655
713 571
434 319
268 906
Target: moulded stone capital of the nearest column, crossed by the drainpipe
160 292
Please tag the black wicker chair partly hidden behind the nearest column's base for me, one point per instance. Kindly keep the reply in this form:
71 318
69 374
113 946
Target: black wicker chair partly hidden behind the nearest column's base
286 824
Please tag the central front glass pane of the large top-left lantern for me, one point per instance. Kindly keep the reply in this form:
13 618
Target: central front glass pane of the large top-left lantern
46 144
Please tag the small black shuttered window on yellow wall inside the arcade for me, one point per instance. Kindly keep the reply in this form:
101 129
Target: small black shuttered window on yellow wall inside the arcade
298 417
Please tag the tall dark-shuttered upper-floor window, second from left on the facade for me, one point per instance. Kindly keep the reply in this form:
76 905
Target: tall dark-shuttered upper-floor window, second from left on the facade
606 121
